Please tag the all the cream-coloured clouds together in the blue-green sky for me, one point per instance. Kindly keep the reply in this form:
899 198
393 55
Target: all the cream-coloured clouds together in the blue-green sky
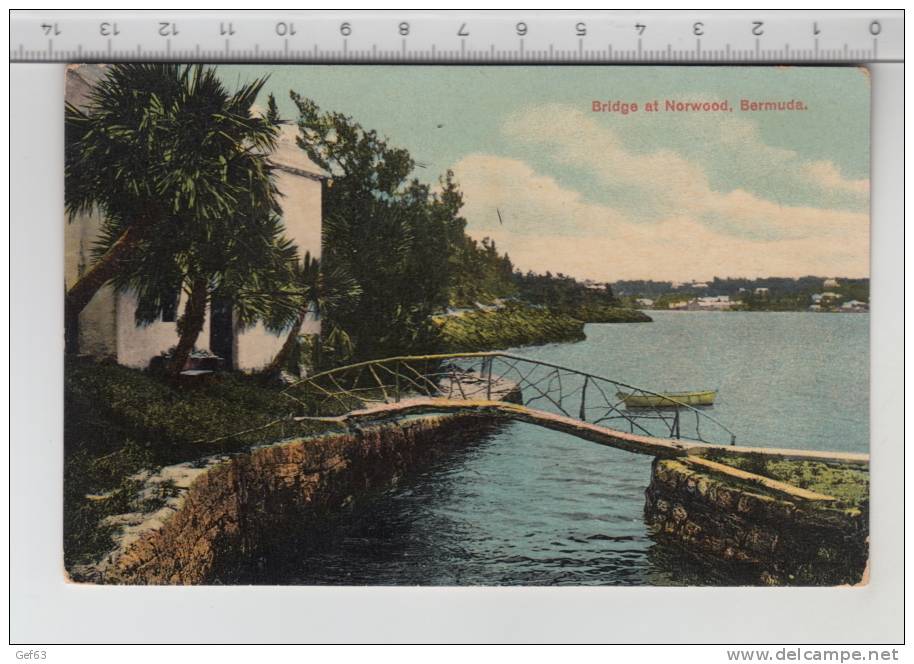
691 230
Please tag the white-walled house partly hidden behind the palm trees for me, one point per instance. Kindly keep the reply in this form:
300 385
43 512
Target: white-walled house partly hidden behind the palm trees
107 327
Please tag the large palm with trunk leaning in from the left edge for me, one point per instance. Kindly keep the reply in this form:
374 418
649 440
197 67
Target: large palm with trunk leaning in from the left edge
158 149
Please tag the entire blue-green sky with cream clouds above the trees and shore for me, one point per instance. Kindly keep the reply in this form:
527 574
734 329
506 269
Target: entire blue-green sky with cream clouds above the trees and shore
645 195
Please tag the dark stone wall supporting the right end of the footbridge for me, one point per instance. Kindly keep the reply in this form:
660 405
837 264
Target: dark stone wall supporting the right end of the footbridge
778 540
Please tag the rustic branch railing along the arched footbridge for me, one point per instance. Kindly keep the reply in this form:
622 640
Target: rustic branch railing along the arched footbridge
495 376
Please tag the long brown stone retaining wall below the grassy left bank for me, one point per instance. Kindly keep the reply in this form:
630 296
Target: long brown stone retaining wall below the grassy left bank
235 508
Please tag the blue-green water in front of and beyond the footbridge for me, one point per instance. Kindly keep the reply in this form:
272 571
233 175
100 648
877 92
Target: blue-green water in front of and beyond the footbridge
535 507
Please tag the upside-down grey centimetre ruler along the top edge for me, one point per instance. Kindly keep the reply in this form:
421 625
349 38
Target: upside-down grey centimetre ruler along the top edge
453 36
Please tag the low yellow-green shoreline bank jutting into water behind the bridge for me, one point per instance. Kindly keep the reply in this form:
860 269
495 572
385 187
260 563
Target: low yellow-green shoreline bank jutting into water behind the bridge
507 327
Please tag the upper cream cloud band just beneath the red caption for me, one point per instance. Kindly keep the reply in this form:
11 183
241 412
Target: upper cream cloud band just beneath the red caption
666 179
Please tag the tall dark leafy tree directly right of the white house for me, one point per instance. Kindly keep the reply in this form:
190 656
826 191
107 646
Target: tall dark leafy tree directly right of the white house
389 233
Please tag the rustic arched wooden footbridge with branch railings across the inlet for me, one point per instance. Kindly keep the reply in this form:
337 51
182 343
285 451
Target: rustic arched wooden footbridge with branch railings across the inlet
575 402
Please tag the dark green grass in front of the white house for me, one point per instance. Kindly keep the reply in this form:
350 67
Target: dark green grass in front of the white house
119 421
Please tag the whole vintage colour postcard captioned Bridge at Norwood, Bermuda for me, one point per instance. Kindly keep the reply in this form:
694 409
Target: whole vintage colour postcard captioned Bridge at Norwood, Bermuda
455 325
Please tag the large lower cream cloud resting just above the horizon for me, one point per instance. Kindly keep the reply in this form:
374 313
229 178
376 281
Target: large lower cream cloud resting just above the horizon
550 227
